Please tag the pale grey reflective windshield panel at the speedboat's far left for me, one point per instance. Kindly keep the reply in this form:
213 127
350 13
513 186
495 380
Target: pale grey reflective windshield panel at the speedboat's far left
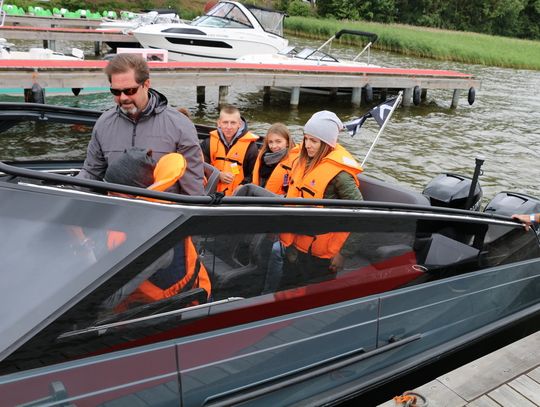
56 247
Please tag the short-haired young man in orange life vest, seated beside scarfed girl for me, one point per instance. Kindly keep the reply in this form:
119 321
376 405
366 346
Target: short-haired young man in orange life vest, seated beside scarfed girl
231 149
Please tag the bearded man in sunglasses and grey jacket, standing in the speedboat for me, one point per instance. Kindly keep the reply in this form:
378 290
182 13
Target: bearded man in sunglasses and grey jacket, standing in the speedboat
142 119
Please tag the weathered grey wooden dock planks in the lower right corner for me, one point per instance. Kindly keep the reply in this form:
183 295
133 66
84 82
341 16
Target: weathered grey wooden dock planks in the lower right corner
509 376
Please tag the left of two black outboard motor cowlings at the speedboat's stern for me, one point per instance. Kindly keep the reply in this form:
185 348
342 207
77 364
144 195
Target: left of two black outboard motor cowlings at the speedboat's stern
451 191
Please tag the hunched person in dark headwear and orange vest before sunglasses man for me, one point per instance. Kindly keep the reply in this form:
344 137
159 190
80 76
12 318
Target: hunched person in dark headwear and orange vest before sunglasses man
179 269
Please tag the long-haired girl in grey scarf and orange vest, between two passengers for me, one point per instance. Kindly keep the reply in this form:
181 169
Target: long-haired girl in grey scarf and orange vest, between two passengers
275 160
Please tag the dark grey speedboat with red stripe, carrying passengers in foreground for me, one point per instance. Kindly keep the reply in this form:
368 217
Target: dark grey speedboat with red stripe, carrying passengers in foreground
426 288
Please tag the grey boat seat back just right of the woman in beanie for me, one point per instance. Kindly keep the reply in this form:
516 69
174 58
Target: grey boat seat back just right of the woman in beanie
375 190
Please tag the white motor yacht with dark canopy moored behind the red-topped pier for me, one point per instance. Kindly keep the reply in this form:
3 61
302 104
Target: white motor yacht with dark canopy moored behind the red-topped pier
228 31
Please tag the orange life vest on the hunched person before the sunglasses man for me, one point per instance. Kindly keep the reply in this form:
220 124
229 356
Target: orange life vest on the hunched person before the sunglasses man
168 170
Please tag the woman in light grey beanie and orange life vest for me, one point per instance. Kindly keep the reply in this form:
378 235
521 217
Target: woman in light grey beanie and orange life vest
325 170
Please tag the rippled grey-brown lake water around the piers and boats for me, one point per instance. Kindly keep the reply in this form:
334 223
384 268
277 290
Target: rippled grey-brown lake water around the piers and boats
503 125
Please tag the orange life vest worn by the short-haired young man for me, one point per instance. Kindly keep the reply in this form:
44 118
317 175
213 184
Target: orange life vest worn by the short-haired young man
222 160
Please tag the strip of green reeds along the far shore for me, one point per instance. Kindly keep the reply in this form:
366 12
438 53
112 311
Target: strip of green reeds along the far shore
467 47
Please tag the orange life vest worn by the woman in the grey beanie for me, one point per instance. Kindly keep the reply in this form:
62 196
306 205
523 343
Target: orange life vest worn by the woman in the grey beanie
313 185
